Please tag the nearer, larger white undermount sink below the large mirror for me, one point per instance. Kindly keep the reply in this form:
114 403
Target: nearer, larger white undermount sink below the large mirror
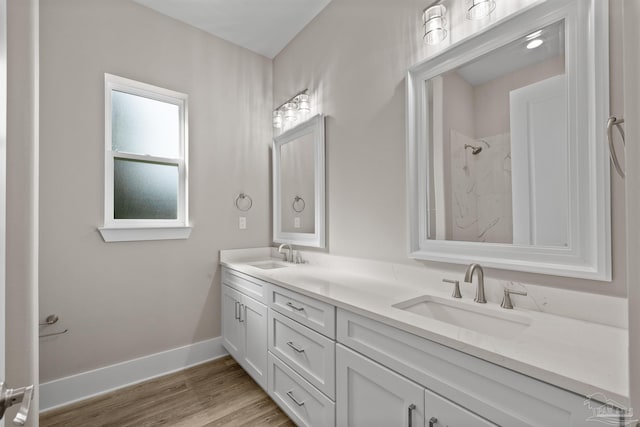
475 317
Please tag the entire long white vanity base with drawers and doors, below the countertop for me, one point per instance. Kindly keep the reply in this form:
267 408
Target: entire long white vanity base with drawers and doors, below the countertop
327 366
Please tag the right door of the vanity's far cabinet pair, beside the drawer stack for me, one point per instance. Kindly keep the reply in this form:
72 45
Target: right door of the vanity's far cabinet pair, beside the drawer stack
254 320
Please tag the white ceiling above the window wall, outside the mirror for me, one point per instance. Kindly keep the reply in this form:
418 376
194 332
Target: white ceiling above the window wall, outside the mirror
265 27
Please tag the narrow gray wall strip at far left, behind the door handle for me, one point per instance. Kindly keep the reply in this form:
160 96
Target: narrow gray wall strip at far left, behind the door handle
21 221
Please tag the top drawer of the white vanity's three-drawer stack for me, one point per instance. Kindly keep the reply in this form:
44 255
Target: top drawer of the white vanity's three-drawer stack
317 315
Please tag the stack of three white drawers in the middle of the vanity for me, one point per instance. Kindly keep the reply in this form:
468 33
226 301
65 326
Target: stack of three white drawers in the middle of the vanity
302 357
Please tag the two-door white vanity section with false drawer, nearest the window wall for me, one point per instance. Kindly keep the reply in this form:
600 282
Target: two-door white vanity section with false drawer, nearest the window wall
244 323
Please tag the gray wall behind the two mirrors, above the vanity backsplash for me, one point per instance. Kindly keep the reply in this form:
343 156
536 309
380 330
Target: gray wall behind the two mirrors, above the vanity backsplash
354 57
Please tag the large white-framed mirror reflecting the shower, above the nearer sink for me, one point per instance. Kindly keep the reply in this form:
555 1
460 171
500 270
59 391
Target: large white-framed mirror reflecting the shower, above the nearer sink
507 165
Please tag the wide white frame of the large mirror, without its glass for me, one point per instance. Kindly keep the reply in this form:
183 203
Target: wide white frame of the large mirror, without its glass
588 254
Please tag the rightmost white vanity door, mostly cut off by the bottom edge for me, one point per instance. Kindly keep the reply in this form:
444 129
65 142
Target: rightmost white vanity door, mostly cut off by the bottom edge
441 412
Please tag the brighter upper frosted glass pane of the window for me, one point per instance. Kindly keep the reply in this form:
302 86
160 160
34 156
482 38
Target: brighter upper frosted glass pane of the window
141 125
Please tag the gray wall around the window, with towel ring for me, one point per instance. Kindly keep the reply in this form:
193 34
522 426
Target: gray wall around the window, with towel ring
125 300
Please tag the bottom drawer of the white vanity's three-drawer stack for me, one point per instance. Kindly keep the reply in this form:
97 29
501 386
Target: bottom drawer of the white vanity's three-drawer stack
300 400
